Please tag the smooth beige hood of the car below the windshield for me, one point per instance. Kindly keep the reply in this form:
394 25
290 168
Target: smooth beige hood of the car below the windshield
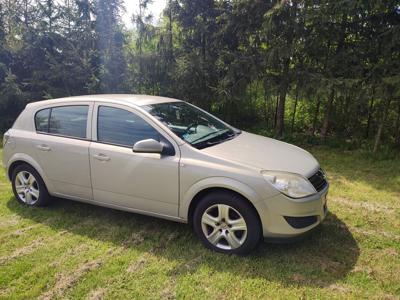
265 153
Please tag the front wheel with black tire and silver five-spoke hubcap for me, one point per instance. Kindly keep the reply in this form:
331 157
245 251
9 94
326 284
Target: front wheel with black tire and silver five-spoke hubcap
225 222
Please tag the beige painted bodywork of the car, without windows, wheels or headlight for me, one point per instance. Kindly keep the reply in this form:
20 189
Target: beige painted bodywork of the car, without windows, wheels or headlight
157 185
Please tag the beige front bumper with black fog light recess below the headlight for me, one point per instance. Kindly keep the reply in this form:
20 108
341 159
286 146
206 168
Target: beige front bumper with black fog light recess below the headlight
282 216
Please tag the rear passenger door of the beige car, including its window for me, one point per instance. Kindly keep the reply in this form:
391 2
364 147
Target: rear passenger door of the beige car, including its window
61 143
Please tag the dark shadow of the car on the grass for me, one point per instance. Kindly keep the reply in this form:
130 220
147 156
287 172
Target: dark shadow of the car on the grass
322 258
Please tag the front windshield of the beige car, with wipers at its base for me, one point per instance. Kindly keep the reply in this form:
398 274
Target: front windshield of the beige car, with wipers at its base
192 125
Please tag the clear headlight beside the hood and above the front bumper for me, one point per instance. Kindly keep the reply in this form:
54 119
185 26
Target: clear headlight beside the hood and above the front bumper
290 184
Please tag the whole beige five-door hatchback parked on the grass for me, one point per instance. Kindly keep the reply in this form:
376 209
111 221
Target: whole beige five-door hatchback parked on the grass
166 158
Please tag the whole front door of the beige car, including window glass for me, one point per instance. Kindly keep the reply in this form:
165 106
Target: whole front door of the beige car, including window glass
146 182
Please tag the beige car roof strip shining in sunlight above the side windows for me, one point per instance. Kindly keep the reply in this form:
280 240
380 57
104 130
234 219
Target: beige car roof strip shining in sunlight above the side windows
138 100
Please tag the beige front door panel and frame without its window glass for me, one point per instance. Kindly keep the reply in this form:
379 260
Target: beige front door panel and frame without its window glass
142 181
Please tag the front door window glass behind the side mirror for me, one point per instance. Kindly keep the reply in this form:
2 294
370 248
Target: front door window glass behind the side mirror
121 127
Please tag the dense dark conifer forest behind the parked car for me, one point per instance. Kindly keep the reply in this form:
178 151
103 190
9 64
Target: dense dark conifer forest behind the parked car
317 70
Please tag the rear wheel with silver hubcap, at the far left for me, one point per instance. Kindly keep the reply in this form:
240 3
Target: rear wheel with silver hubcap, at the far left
28 186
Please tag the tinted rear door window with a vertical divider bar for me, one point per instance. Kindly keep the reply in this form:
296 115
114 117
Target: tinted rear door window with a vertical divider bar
68 121
